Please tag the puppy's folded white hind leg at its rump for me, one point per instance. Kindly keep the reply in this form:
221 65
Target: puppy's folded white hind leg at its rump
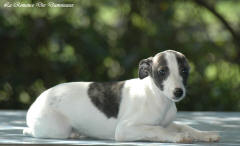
48 124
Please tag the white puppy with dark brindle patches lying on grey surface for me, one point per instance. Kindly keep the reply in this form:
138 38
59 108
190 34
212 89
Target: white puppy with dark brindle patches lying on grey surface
131 110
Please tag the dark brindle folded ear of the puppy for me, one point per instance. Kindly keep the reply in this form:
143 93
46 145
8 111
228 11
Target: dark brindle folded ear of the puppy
145 67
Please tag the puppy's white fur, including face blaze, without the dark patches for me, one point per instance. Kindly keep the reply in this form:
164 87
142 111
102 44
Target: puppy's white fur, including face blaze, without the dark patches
146 113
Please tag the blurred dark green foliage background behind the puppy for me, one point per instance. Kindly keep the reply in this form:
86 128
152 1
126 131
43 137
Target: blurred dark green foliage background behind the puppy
104 40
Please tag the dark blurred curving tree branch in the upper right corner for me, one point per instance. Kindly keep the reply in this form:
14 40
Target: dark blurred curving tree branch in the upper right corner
234 33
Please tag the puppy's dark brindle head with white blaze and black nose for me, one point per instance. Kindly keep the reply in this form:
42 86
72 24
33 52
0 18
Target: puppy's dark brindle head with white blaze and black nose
169 71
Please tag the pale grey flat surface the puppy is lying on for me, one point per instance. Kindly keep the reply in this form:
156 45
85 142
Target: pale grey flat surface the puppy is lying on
227 123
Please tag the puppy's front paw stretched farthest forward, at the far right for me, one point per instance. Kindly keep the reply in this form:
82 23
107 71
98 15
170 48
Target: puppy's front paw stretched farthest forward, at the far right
210 136
